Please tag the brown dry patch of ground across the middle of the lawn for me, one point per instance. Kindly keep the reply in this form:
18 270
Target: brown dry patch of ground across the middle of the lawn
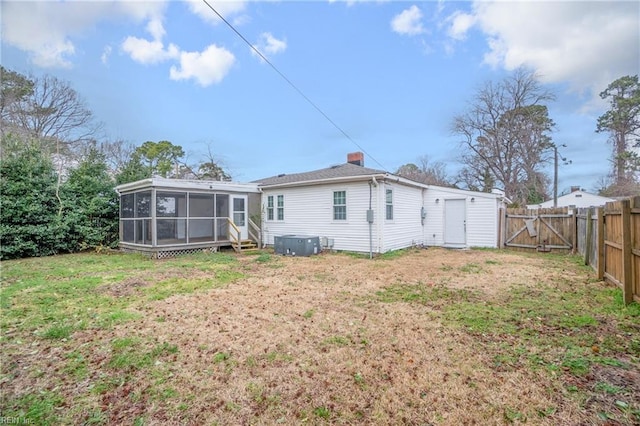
305 340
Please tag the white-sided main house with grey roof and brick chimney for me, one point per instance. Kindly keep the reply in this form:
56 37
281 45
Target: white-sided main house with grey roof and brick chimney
355 208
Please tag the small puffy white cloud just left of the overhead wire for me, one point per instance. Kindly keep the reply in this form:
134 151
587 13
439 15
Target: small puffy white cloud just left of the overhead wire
207 67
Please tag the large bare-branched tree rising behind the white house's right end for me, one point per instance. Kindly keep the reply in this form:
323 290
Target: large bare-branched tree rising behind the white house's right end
505 136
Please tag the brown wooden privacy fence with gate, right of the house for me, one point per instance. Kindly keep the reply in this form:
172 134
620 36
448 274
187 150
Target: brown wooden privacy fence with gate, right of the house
607 237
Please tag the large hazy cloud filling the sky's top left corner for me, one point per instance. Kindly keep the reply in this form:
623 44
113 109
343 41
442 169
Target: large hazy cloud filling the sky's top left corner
45 29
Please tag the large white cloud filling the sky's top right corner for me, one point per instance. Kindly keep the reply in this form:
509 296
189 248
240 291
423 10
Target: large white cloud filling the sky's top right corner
585 44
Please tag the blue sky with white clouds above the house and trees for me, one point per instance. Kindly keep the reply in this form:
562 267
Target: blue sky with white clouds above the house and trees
391 74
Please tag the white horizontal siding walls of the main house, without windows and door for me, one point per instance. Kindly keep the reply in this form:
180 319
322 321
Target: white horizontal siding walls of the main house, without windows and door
311 210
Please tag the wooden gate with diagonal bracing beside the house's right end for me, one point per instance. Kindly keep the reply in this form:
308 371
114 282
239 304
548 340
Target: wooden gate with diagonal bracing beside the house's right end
539 229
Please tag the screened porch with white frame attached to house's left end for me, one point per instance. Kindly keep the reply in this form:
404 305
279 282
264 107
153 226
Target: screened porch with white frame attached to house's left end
164 217
